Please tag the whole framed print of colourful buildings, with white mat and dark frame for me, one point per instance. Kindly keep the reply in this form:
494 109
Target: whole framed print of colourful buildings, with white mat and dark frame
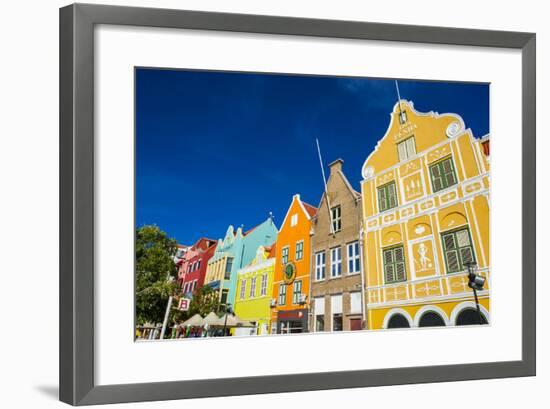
254 204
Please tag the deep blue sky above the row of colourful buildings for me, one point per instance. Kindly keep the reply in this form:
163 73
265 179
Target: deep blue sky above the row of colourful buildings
220 148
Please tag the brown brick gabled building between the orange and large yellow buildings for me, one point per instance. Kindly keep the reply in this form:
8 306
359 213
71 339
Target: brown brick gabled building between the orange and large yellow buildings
337 289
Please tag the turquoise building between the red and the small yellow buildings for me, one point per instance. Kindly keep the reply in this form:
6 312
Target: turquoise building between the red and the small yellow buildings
236 250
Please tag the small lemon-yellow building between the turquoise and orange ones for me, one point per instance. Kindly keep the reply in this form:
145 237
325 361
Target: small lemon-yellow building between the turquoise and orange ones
254 287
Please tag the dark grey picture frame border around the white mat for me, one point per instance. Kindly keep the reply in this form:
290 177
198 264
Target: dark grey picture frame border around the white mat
77 386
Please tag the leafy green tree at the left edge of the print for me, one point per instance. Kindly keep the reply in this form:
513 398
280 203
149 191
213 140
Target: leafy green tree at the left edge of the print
155 273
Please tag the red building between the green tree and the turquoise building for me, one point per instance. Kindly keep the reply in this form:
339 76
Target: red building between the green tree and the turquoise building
192 269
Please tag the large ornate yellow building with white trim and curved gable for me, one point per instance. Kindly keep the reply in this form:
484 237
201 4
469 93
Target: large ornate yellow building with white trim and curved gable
426 204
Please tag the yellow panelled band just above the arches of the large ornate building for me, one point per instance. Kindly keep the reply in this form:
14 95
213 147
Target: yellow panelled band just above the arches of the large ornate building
425 289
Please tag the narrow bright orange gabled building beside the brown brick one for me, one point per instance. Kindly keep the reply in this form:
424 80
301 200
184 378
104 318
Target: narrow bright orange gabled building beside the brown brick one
290 303
